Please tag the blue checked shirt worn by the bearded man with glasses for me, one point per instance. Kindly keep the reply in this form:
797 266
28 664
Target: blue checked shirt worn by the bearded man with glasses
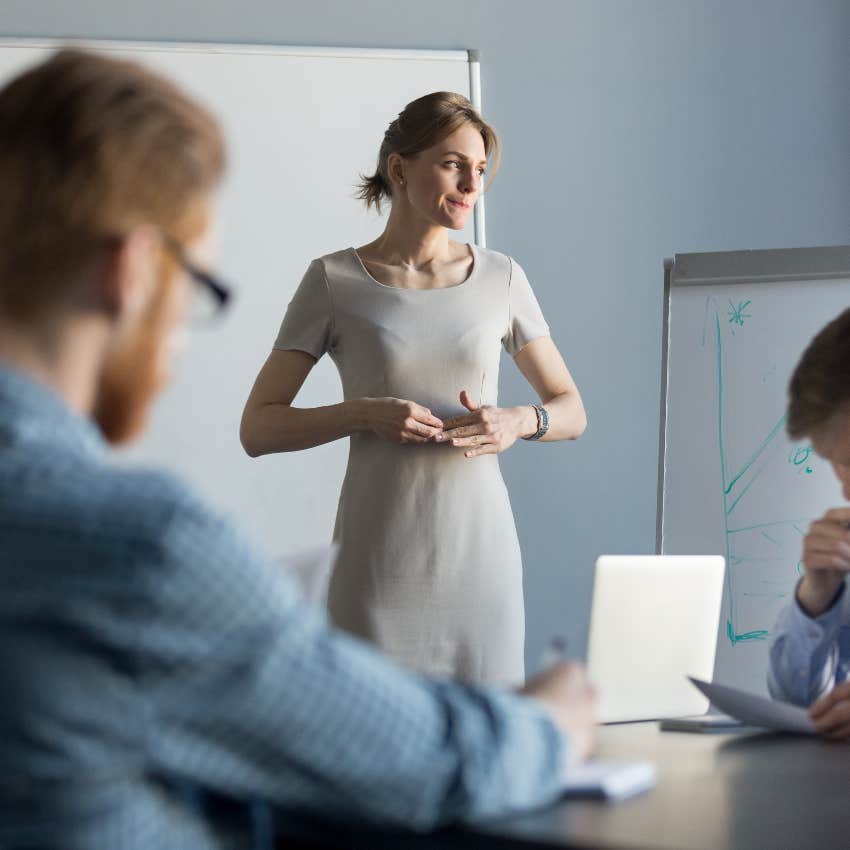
152 658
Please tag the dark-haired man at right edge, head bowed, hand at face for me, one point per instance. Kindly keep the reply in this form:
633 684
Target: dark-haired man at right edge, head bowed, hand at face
810 653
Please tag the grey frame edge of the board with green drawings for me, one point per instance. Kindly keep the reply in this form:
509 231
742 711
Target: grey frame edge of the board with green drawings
776 265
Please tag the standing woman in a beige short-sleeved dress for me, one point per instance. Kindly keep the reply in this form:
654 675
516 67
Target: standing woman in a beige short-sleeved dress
429 566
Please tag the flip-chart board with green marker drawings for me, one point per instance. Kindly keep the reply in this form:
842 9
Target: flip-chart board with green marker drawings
731 481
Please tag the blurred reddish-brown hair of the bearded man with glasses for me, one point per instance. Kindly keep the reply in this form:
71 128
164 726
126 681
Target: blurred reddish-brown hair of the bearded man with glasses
89 147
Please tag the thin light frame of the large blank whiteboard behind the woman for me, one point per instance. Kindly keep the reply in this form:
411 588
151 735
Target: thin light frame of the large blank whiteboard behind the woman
471 57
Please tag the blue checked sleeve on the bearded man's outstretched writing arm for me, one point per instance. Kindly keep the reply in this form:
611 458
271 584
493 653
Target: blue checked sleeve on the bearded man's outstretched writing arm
254 695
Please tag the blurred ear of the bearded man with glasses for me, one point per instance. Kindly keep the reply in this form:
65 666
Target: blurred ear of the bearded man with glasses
129 272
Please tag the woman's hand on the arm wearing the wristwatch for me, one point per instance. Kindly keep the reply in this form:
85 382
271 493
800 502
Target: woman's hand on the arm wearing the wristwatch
488 430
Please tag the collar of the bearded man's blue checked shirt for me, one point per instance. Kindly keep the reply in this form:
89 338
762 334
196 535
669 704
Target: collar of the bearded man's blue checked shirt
34 411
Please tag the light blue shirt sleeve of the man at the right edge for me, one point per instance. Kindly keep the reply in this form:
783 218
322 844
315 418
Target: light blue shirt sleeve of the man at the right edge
805 653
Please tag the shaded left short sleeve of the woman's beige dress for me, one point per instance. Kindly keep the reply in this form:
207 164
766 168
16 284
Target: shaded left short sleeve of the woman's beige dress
308 322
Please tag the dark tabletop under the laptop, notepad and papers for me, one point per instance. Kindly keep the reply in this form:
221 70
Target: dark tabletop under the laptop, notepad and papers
748 791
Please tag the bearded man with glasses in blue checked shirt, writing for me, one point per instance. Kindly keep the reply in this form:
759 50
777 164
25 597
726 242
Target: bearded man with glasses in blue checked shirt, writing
151 658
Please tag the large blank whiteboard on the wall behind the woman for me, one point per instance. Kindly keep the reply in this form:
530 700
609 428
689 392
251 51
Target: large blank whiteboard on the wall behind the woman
301 125
